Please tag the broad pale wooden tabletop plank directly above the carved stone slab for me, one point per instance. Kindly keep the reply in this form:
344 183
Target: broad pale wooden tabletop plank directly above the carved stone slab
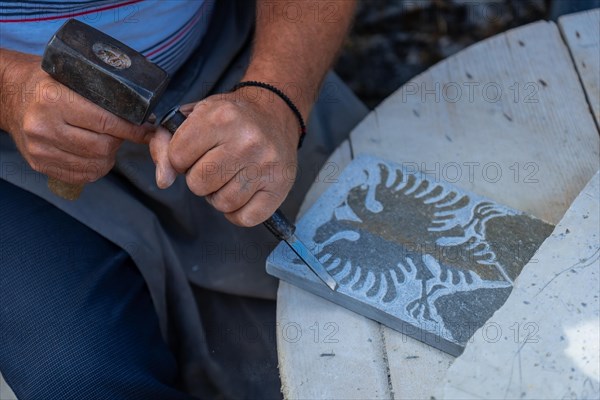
519 131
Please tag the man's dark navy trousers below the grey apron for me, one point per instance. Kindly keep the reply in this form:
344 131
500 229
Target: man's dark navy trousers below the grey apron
77 321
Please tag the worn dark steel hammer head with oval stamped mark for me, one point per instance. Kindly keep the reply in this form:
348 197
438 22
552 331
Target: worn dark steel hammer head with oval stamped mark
104 71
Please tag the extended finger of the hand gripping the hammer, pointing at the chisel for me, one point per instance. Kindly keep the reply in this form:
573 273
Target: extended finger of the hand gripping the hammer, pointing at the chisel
92 117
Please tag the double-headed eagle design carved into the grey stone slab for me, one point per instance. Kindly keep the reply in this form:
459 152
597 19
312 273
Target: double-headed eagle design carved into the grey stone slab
399 235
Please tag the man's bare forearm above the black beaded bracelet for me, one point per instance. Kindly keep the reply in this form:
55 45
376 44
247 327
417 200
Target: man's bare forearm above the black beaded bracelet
296 42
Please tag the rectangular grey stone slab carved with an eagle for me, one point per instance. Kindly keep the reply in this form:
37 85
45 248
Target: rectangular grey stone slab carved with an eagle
423 257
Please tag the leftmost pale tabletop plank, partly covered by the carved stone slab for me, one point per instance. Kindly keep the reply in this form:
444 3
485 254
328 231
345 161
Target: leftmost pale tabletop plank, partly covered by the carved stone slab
338 354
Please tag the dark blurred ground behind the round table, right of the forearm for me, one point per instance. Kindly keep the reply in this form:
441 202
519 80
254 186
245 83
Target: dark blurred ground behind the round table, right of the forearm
394 40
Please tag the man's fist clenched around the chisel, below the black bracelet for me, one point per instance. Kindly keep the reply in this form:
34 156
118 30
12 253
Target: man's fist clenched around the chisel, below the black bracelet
236 149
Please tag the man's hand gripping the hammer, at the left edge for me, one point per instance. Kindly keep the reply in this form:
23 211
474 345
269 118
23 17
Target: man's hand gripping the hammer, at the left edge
58 132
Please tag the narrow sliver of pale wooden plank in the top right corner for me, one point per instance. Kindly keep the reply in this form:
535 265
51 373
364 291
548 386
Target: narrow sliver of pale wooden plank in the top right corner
582 34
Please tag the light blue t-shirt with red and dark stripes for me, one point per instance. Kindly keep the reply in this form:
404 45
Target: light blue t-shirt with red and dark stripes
166 32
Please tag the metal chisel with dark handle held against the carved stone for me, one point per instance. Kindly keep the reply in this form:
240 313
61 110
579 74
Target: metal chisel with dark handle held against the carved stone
278 224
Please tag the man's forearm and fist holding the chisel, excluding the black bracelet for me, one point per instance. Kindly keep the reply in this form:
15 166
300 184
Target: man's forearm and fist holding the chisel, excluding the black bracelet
239 149
